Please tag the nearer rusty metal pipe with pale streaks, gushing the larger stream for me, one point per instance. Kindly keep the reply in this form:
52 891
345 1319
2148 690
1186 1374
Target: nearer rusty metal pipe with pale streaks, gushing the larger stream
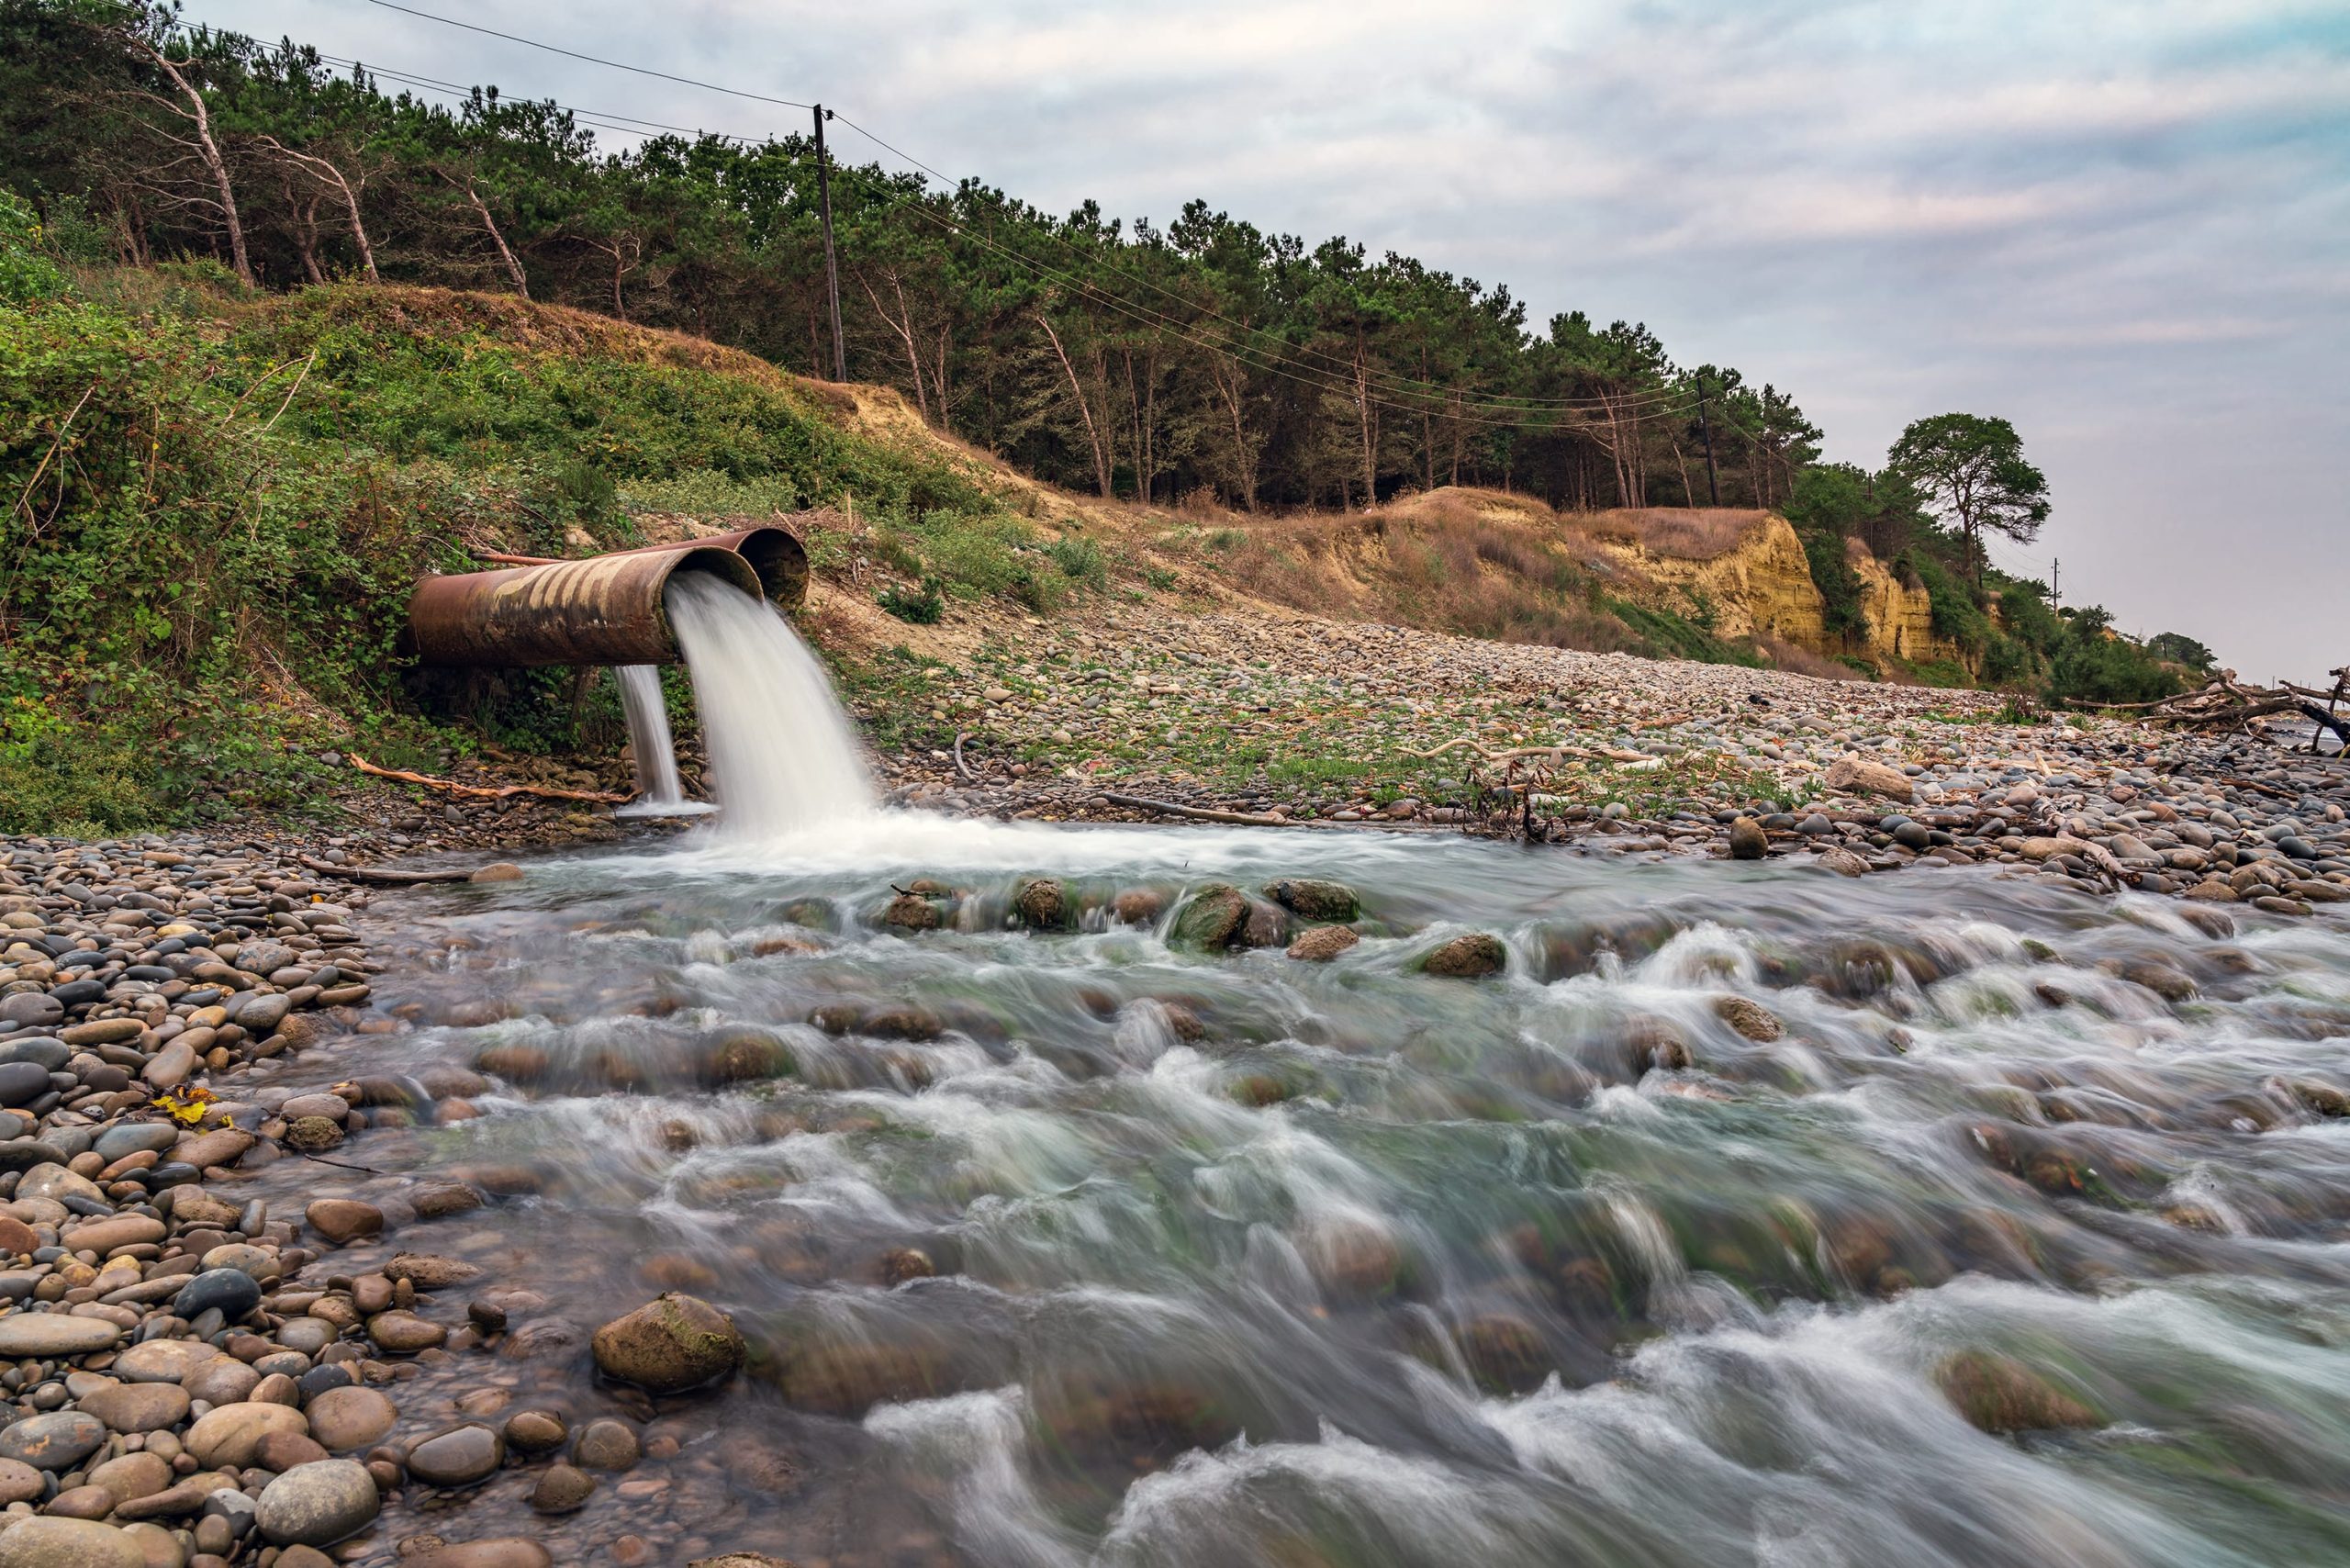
598 612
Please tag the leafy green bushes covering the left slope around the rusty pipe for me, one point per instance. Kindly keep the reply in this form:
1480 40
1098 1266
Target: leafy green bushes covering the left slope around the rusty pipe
222 504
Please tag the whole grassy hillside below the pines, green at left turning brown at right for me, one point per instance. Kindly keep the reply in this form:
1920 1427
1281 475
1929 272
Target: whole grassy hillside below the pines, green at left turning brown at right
220 502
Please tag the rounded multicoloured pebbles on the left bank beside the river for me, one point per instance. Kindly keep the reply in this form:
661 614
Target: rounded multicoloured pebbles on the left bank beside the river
187 1376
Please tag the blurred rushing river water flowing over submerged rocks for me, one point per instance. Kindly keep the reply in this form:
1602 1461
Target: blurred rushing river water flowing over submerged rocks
1077 1249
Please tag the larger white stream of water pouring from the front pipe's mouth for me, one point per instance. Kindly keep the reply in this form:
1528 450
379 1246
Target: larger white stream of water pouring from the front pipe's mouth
781 751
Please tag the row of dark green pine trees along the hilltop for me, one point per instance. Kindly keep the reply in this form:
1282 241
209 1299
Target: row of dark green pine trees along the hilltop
1148 363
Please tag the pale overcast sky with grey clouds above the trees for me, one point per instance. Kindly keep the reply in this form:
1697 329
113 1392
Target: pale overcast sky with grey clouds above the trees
2123 225
